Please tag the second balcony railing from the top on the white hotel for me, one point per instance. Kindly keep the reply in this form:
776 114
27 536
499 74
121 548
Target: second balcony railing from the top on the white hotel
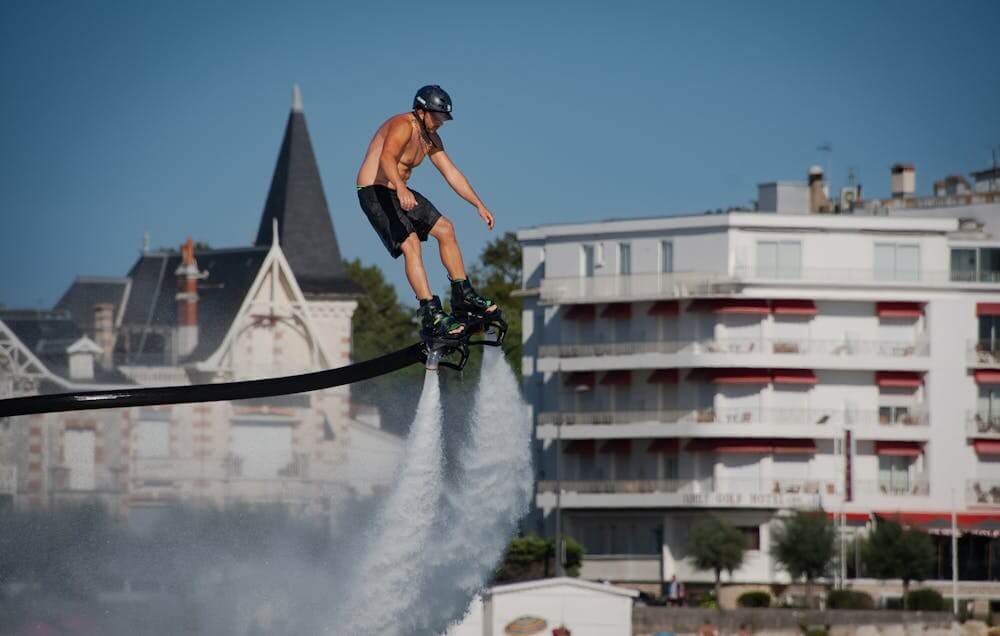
748 346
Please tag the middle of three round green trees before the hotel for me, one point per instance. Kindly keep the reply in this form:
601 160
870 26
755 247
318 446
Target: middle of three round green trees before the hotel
804 544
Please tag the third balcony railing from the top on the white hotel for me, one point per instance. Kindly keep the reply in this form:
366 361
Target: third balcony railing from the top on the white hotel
833 417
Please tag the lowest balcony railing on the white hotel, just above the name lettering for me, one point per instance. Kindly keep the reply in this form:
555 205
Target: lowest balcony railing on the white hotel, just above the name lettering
820 486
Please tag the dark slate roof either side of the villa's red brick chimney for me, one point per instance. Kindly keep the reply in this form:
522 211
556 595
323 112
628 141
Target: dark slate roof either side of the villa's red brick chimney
152 304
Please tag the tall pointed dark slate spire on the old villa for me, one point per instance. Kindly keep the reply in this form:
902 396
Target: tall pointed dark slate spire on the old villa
297 205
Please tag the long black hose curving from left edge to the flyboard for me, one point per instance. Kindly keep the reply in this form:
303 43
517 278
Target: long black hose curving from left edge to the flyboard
124 398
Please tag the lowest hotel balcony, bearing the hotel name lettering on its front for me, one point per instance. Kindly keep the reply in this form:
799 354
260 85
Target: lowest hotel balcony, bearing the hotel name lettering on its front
708 492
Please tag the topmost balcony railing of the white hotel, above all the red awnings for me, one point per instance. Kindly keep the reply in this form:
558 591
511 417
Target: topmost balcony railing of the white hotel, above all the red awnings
686 284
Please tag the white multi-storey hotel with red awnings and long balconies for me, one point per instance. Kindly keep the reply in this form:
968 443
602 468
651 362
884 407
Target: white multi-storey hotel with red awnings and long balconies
752 362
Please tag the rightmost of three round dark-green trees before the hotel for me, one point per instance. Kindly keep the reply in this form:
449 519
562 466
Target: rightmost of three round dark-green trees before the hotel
894 552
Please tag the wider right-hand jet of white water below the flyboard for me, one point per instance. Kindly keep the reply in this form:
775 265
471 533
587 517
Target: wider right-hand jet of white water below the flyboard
478 519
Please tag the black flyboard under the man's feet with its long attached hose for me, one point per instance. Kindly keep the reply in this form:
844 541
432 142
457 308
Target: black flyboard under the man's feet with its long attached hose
450 352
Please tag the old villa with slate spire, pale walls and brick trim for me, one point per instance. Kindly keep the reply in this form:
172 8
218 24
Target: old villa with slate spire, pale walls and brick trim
280 306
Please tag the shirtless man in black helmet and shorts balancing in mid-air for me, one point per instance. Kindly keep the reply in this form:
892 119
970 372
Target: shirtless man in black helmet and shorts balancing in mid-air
403 217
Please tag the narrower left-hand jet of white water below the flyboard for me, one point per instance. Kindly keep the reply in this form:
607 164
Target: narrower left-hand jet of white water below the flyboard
391 574
